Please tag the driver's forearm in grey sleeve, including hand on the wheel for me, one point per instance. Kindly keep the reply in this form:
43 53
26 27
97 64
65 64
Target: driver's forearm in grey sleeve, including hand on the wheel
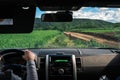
31 68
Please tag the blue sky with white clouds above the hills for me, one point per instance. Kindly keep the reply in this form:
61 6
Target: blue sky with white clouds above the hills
106 14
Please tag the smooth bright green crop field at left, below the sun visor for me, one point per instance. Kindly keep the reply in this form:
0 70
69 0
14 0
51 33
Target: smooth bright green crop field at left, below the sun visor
36 39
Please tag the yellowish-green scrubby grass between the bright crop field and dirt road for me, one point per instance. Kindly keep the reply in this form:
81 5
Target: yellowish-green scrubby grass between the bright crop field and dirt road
63 42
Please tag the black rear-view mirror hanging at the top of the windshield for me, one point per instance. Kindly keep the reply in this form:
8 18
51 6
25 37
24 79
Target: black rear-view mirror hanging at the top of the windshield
57 17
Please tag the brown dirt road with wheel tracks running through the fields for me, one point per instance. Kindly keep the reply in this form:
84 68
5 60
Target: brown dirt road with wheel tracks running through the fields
87 37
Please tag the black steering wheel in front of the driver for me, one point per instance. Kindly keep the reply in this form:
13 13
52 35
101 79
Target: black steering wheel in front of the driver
15 67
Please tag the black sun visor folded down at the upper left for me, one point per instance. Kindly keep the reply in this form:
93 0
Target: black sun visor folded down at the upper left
17 18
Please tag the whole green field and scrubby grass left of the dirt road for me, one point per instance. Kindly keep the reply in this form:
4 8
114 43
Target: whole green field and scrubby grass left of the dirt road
43 39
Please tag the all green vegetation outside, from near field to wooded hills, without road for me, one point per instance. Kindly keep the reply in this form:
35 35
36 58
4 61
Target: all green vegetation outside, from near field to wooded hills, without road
50 35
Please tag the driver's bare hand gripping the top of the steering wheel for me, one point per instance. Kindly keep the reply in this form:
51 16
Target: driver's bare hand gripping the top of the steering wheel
28 55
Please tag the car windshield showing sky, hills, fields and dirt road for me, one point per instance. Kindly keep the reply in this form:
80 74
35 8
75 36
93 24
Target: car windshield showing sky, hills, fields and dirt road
92 27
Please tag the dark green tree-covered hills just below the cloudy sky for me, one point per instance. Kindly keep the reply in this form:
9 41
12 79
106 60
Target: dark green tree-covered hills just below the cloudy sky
76 24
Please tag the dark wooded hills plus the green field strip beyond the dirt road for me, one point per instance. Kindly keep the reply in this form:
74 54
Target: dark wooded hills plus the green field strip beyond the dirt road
82 25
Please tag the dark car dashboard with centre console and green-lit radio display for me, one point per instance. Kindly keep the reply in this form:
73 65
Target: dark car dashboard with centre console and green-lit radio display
75 64
